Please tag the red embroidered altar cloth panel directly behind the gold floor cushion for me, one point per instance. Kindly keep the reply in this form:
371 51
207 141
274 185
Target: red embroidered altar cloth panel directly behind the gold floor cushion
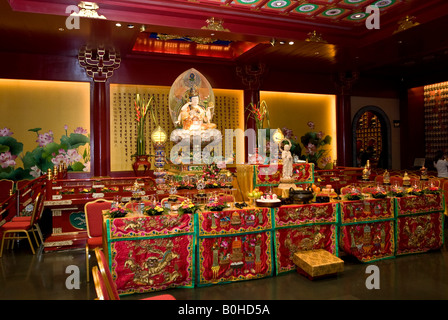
304 227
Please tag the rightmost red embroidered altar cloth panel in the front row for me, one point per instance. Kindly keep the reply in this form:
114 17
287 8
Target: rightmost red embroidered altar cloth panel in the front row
419 226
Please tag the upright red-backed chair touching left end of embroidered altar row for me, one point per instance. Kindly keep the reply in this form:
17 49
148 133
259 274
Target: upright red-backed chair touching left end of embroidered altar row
94 222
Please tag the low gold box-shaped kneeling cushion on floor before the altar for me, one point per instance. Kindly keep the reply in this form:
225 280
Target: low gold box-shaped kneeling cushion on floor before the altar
316 264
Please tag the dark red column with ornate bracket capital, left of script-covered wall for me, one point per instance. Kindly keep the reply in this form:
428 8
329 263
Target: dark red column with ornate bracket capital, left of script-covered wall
99 64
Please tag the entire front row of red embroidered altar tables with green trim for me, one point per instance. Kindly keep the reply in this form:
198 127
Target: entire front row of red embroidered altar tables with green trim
215 247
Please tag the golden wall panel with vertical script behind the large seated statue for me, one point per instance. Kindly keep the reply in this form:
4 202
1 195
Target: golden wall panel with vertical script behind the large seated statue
228 115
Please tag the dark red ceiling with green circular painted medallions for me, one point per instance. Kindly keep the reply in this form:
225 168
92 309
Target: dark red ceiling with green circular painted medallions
256 28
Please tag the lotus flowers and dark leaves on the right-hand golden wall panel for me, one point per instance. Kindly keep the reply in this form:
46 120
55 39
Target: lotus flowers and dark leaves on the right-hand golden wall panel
314 143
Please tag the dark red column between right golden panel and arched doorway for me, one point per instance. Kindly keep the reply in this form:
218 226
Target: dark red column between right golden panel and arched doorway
344 84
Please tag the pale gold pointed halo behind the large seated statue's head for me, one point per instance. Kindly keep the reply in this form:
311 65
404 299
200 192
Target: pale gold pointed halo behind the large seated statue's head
180 90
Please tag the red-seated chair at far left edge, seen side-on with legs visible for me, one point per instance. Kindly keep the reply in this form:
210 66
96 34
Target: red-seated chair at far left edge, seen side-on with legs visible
12 230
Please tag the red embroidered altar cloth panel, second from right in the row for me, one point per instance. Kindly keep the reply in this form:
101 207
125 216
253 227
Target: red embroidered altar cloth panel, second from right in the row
367 229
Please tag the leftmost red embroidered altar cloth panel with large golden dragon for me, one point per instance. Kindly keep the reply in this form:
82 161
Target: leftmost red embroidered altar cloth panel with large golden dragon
150 253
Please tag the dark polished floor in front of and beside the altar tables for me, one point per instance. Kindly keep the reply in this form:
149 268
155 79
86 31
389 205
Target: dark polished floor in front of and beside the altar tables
420 276
